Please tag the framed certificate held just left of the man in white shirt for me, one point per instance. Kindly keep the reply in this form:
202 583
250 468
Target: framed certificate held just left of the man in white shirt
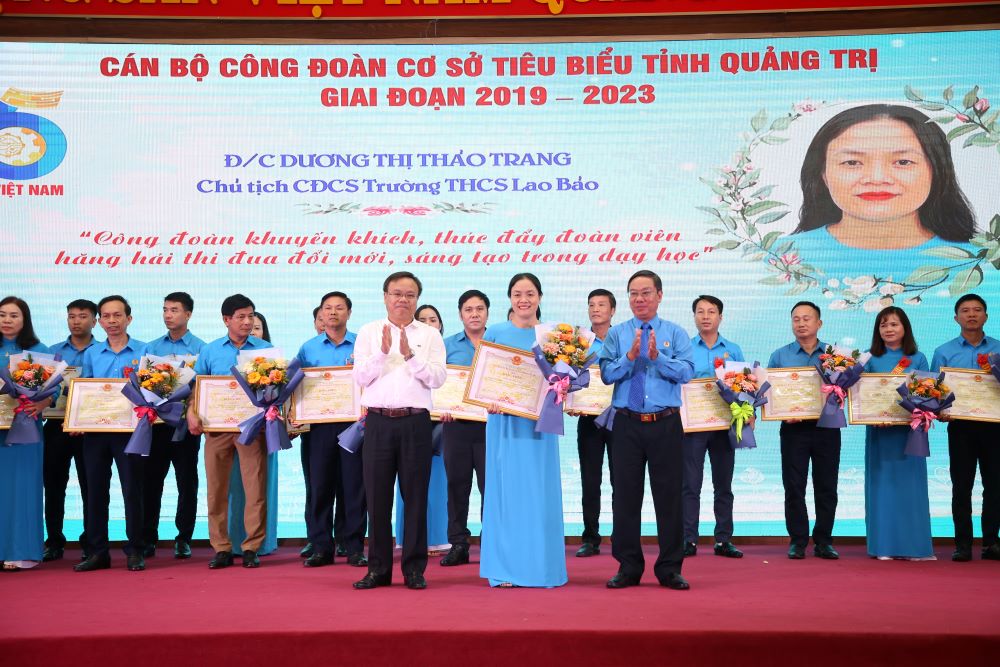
327 394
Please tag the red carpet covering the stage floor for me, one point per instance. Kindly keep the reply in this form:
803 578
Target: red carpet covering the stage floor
763 609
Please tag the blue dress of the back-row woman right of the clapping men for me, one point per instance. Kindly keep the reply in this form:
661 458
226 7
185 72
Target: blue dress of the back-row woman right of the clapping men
897 509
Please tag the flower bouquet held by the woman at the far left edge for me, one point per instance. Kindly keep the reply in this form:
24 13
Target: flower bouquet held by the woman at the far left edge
31 377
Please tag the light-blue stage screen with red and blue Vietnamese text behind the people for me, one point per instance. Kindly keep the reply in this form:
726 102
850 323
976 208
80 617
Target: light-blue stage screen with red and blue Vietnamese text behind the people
284 172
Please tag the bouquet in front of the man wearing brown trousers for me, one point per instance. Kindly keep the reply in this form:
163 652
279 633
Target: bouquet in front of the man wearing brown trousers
268 381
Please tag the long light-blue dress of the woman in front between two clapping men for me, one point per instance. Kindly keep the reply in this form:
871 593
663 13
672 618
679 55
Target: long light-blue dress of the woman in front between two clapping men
523 536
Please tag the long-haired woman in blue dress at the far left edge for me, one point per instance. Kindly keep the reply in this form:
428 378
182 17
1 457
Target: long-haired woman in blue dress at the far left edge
21 533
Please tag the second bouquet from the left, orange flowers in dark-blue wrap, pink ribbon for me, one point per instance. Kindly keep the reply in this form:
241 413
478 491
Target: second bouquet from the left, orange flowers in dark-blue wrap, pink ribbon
157 389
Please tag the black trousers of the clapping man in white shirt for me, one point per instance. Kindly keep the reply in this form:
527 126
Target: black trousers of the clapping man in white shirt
397 446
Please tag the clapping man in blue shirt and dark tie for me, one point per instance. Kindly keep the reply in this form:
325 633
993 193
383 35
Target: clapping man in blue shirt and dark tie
647 359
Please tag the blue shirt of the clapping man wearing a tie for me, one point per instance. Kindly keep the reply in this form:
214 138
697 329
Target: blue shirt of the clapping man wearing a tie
673 366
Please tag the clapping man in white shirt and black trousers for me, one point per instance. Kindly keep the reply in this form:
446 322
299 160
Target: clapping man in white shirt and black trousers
397 361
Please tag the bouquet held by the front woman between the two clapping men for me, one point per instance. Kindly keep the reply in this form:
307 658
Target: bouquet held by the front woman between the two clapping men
562 352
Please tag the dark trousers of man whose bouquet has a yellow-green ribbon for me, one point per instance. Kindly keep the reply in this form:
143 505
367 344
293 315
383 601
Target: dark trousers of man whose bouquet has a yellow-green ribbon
723 461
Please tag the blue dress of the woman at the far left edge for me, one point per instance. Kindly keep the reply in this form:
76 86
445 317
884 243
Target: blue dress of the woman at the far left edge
22 533
